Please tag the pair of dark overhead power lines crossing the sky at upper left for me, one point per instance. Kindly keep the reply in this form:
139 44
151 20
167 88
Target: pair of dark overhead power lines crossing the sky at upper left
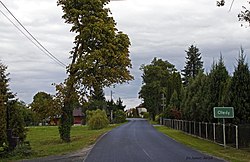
41 47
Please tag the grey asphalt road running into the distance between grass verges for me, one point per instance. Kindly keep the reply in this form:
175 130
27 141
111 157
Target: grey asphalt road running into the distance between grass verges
138 141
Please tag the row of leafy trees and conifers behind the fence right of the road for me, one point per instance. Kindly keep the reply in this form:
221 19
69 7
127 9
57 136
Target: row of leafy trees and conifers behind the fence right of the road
194 97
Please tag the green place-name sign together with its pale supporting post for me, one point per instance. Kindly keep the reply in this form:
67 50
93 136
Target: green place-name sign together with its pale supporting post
224 112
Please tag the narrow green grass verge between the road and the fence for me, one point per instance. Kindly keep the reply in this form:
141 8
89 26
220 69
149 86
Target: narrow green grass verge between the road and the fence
208 147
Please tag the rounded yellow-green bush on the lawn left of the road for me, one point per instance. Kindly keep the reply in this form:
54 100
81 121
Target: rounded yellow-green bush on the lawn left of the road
97 119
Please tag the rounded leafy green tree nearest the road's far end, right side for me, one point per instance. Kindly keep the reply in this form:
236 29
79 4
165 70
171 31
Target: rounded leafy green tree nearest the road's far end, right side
159 77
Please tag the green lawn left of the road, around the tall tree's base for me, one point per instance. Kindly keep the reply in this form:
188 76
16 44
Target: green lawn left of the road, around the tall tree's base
45 140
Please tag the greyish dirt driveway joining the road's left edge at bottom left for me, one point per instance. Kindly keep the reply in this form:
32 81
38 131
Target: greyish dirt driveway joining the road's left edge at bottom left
78 156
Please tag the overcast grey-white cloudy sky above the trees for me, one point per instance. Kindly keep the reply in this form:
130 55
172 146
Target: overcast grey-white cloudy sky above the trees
156 28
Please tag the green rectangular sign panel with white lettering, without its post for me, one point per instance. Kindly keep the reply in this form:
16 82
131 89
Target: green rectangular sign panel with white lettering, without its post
223 112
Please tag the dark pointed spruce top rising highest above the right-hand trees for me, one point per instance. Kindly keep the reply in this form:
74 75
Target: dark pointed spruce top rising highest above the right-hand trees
193 65
